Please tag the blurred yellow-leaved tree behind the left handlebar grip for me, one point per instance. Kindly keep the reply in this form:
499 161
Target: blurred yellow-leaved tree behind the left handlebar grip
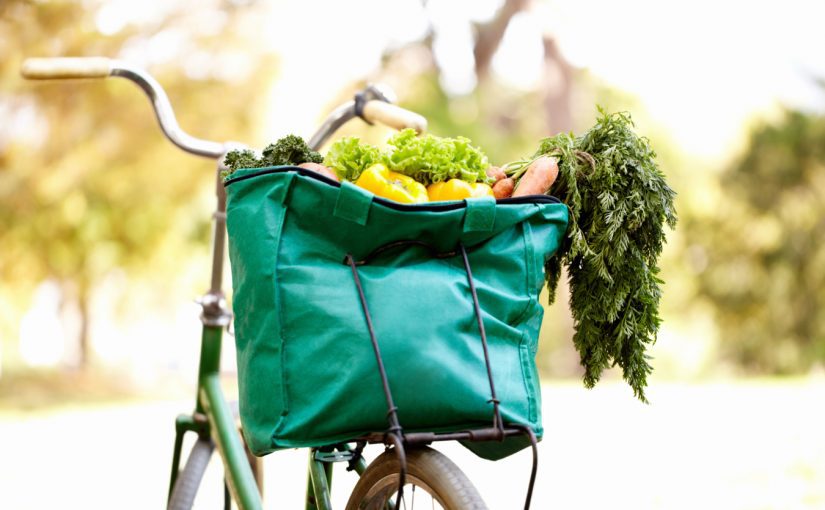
87 182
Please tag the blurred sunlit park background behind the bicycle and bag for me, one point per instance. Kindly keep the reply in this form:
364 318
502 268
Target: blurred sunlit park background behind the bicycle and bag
104 227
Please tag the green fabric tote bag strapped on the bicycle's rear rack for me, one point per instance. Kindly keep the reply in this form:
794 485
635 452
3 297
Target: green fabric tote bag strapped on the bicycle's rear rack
308 373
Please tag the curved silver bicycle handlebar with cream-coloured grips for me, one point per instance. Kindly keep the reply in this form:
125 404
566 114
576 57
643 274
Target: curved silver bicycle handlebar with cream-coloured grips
376 107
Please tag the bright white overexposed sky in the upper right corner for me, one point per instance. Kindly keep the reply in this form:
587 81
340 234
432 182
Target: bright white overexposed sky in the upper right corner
702 69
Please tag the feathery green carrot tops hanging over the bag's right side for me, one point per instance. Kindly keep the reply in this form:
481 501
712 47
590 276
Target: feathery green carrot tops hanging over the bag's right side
619 203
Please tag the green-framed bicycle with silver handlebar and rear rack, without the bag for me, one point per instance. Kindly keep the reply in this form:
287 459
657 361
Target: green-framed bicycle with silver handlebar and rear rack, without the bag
383 483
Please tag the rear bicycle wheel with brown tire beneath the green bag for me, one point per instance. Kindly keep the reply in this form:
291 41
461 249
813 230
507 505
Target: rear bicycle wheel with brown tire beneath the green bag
432 481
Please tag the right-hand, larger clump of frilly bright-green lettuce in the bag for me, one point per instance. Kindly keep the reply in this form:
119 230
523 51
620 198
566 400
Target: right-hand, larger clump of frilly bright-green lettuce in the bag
430 159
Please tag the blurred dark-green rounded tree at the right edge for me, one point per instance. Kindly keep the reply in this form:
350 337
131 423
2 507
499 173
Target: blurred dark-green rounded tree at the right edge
760 256
